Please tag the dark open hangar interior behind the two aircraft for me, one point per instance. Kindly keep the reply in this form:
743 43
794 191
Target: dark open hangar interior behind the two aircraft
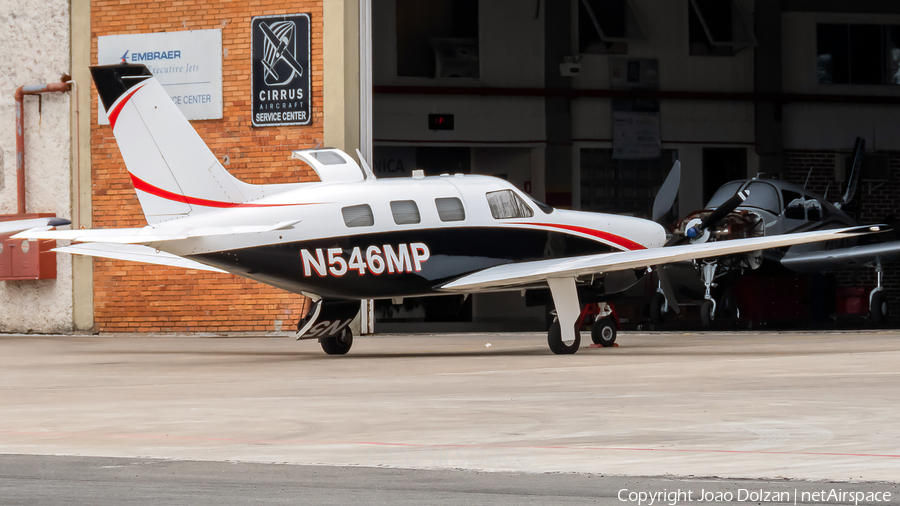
584 104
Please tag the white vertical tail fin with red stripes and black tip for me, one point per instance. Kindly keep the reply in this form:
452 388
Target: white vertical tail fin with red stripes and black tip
173 171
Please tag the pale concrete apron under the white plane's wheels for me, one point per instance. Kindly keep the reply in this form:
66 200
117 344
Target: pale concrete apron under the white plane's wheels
774 405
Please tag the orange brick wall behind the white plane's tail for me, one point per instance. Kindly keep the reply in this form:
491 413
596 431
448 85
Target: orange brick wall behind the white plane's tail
136 297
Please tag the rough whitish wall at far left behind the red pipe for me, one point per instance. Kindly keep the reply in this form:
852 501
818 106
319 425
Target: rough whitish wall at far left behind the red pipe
34 49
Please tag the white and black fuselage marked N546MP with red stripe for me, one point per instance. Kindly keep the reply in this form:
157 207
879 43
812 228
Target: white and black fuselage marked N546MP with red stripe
403 237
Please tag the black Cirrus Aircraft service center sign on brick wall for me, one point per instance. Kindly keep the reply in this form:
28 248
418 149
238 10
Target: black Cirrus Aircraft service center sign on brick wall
280 68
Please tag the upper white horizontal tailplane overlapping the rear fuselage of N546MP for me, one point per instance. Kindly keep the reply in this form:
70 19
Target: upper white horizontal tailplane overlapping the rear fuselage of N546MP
148 234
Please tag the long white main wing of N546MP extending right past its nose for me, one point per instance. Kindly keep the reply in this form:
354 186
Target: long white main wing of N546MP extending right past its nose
523 273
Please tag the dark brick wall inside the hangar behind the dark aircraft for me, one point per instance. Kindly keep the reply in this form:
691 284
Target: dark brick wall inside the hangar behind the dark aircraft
875 202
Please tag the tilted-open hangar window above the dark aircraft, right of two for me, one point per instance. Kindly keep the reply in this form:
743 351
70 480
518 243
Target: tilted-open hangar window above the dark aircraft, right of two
718 28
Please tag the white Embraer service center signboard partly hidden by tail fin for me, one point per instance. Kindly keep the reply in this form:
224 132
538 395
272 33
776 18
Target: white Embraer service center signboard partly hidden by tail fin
187 64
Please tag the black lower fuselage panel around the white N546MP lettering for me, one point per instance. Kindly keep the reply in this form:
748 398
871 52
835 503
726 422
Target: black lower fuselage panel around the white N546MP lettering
453 252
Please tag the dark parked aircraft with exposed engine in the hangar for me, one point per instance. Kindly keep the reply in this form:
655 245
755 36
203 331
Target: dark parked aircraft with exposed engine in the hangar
755 208
